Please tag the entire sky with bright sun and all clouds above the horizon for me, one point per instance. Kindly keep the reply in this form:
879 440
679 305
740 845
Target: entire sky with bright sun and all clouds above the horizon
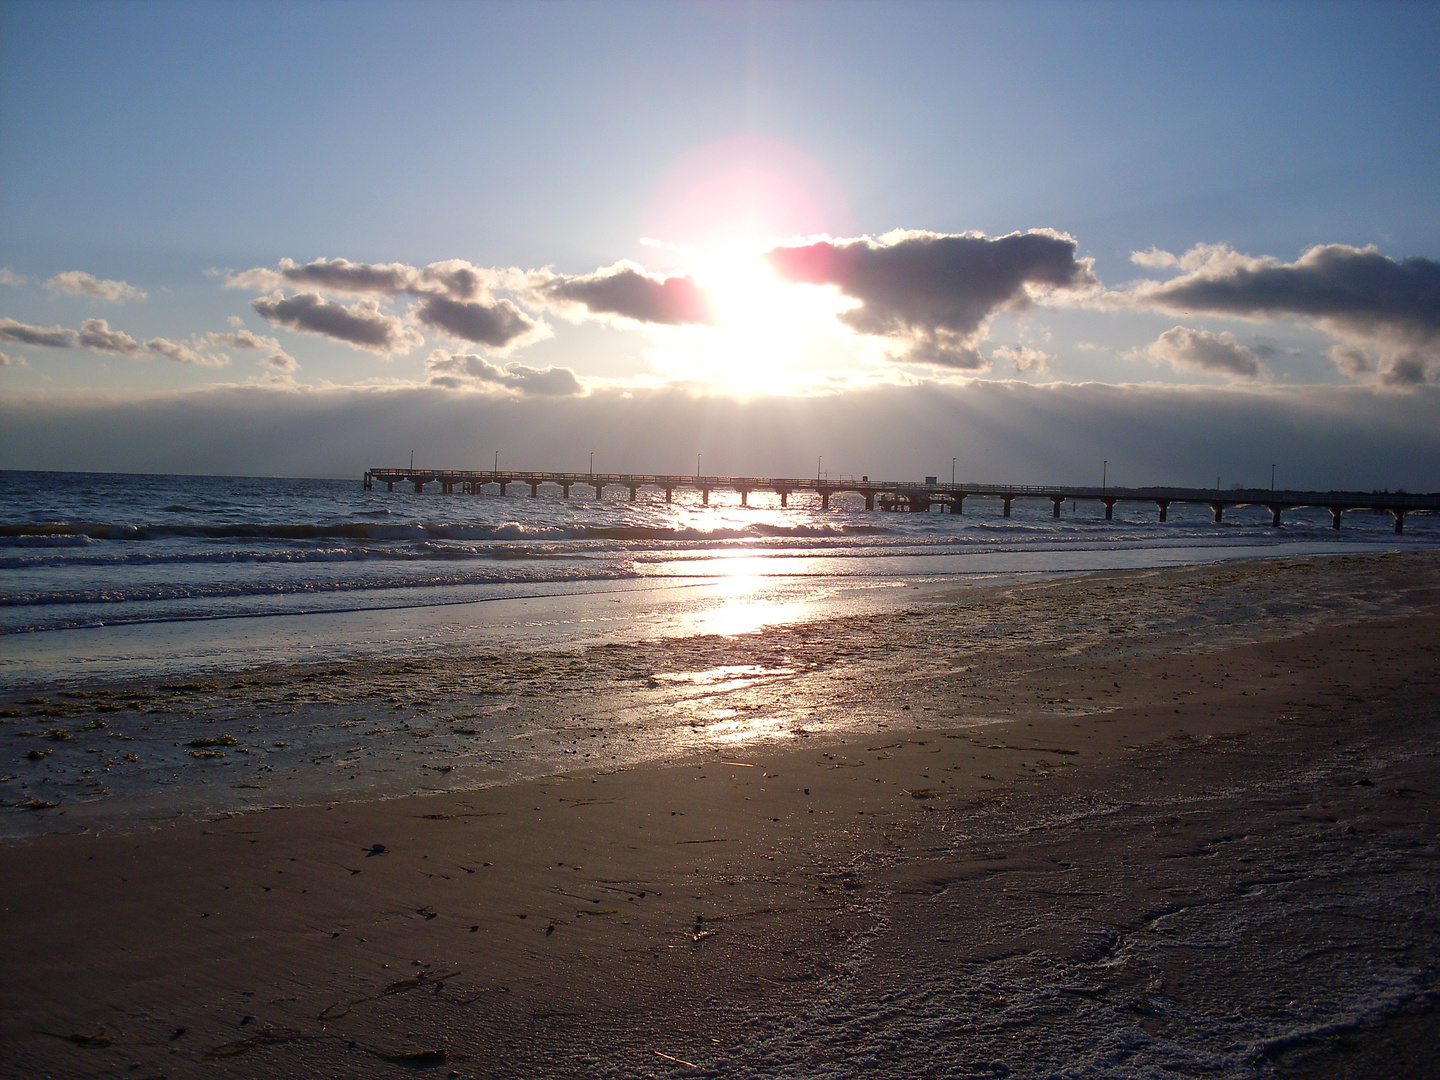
1179 241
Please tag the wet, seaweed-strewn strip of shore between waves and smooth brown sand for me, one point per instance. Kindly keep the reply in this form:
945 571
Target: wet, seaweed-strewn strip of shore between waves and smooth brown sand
310 734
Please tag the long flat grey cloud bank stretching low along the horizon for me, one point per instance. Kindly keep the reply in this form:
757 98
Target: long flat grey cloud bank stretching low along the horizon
1321 437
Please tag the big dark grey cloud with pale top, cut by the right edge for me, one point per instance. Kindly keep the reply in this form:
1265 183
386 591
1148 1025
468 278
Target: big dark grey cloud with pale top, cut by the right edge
1385 313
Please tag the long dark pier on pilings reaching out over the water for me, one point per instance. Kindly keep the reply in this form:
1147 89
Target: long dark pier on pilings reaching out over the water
906 496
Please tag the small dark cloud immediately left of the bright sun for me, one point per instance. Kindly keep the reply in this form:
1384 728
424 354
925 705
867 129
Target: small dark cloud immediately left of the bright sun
629 293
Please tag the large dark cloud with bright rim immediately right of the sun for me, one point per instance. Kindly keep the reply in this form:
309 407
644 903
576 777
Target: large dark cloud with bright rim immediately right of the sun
931 294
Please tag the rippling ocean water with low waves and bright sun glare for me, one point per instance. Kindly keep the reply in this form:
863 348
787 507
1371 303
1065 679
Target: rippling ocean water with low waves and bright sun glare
135 575
